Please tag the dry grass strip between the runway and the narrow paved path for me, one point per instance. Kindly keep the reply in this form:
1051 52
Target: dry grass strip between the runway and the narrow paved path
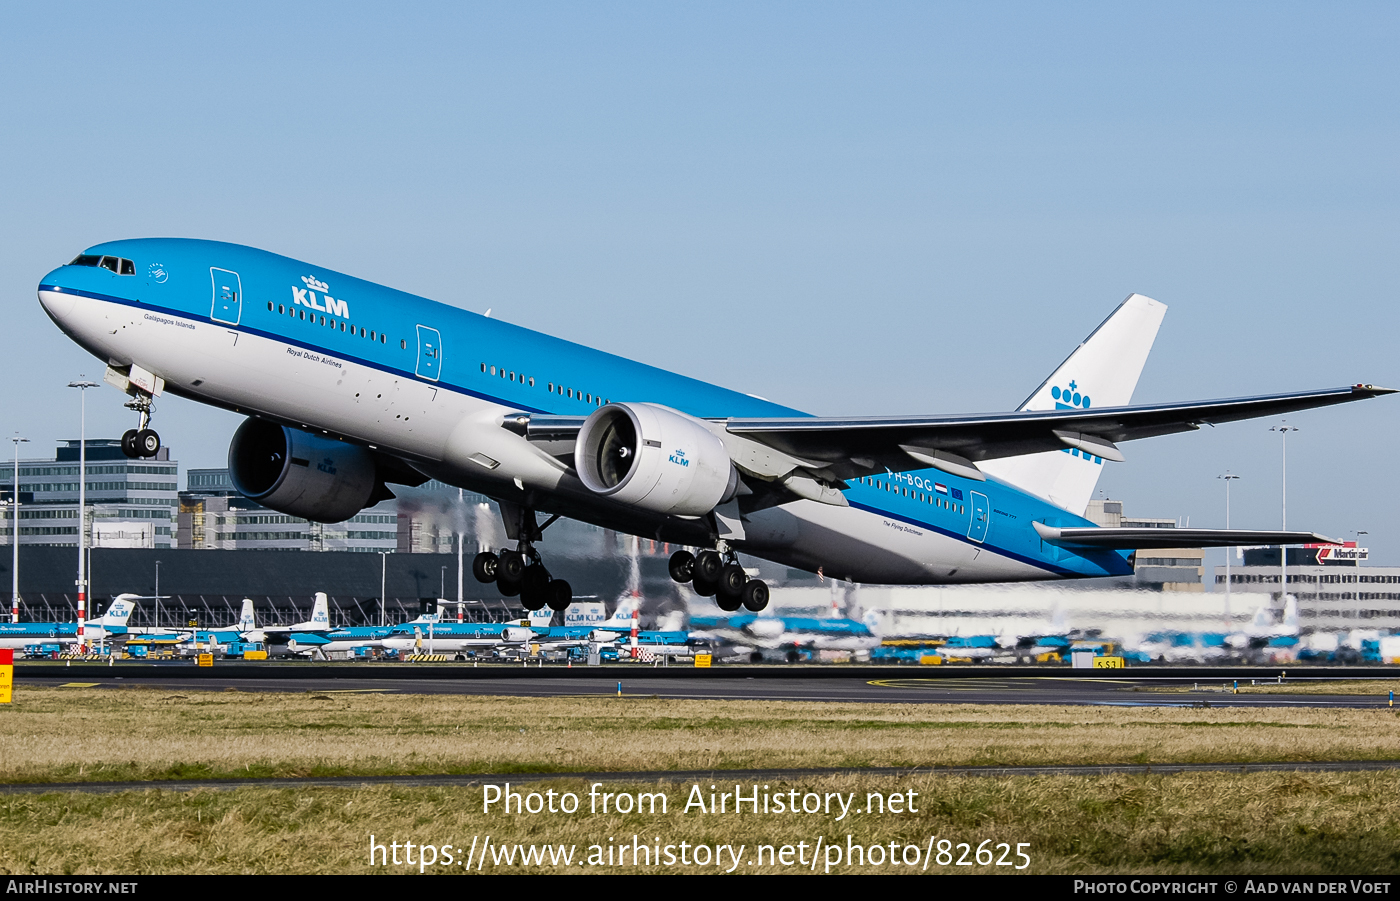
61 735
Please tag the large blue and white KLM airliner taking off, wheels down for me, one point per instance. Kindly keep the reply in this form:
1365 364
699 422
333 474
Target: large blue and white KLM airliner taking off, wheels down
351 388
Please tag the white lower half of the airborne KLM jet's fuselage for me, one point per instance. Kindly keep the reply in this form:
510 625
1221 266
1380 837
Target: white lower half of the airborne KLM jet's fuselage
443 430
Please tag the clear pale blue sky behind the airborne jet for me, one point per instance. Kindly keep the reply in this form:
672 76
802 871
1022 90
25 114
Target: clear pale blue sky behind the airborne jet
846 208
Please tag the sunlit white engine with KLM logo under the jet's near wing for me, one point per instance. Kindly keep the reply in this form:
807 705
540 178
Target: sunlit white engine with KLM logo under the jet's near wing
654 458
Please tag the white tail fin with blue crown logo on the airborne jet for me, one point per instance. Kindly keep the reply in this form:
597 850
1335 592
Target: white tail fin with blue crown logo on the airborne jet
1102 371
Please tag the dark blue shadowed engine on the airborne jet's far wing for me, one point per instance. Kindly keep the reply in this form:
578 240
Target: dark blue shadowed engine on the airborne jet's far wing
299 474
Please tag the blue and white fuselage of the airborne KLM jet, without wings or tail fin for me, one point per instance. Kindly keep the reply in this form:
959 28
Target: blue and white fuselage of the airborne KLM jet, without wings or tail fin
429 384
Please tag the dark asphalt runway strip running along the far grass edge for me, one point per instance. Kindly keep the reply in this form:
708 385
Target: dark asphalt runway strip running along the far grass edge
892 688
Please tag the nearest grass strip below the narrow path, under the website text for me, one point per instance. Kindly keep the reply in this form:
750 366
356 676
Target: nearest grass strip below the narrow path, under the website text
1199 823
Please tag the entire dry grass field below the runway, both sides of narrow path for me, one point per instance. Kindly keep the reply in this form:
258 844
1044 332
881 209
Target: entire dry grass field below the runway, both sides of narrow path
1192 823
